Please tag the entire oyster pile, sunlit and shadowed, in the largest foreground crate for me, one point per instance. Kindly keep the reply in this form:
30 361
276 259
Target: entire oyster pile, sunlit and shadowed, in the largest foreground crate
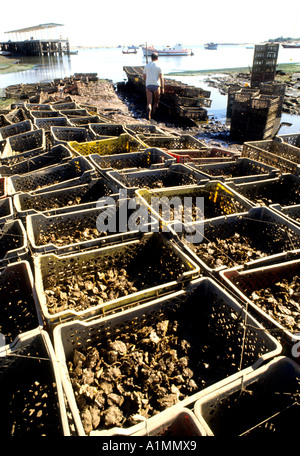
148 365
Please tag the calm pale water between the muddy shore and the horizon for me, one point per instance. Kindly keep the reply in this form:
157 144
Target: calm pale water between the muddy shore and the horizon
108 64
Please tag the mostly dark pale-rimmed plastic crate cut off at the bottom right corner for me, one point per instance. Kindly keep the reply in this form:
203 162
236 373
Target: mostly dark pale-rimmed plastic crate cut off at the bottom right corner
258 404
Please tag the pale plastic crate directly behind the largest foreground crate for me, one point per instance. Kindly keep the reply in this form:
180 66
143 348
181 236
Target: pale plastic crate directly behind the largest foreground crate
133 245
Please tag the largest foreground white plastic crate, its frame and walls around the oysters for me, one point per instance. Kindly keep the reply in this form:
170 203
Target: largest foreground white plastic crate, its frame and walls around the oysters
217 312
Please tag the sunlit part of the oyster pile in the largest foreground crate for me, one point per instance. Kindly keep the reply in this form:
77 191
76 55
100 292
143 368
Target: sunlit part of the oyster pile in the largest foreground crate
121 379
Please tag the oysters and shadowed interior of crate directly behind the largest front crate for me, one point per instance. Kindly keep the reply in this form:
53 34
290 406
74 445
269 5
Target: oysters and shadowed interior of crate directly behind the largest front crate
138 267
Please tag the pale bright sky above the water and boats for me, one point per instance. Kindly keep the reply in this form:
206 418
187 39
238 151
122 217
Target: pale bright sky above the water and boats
159 22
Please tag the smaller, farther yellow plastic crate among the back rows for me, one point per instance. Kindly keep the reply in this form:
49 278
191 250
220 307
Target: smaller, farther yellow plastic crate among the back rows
108 146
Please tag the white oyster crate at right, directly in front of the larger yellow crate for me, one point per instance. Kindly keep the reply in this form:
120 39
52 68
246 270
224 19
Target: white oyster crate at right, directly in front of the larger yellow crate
278 238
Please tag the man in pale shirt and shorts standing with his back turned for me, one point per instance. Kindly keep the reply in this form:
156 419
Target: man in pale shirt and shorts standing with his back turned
154 81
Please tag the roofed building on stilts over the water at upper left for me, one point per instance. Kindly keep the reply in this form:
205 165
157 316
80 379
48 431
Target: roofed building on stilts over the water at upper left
30 41
